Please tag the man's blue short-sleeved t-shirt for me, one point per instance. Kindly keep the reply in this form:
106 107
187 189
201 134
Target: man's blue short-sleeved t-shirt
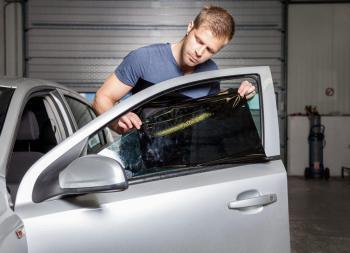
155 63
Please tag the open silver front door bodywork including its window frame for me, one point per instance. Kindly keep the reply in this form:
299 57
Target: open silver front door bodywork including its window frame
182 213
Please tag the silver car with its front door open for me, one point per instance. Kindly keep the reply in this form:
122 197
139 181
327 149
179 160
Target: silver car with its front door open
201 175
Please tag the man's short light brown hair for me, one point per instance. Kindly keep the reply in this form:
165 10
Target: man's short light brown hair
219 21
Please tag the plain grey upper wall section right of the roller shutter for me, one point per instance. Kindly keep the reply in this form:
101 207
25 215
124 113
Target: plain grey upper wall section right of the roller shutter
319 57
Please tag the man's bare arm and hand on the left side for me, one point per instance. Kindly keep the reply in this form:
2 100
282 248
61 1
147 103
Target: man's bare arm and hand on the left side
110 93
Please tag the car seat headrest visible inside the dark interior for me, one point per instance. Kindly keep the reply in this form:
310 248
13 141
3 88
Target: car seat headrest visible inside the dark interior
29 128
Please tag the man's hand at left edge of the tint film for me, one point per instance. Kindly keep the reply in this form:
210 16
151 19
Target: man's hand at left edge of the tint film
126 122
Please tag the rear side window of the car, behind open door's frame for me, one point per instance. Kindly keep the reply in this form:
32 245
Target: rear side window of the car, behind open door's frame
83 114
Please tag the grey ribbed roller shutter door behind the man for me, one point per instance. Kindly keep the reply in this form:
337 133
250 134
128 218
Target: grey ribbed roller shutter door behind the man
78 43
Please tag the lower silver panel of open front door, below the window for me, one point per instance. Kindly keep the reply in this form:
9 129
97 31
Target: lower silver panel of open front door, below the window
190 210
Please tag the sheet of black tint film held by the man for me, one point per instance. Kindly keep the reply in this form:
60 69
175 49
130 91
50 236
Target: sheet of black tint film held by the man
198 131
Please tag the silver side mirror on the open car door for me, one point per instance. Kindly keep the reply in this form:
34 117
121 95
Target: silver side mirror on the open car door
92 173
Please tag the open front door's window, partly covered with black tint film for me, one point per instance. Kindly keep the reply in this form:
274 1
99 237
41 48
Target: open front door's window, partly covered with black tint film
181 132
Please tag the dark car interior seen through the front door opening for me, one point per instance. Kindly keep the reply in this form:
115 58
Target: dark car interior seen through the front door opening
35 137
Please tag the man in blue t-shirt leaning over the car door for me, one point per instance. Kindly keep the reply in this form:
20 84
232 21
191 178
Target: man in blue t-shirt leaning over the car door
212 29
